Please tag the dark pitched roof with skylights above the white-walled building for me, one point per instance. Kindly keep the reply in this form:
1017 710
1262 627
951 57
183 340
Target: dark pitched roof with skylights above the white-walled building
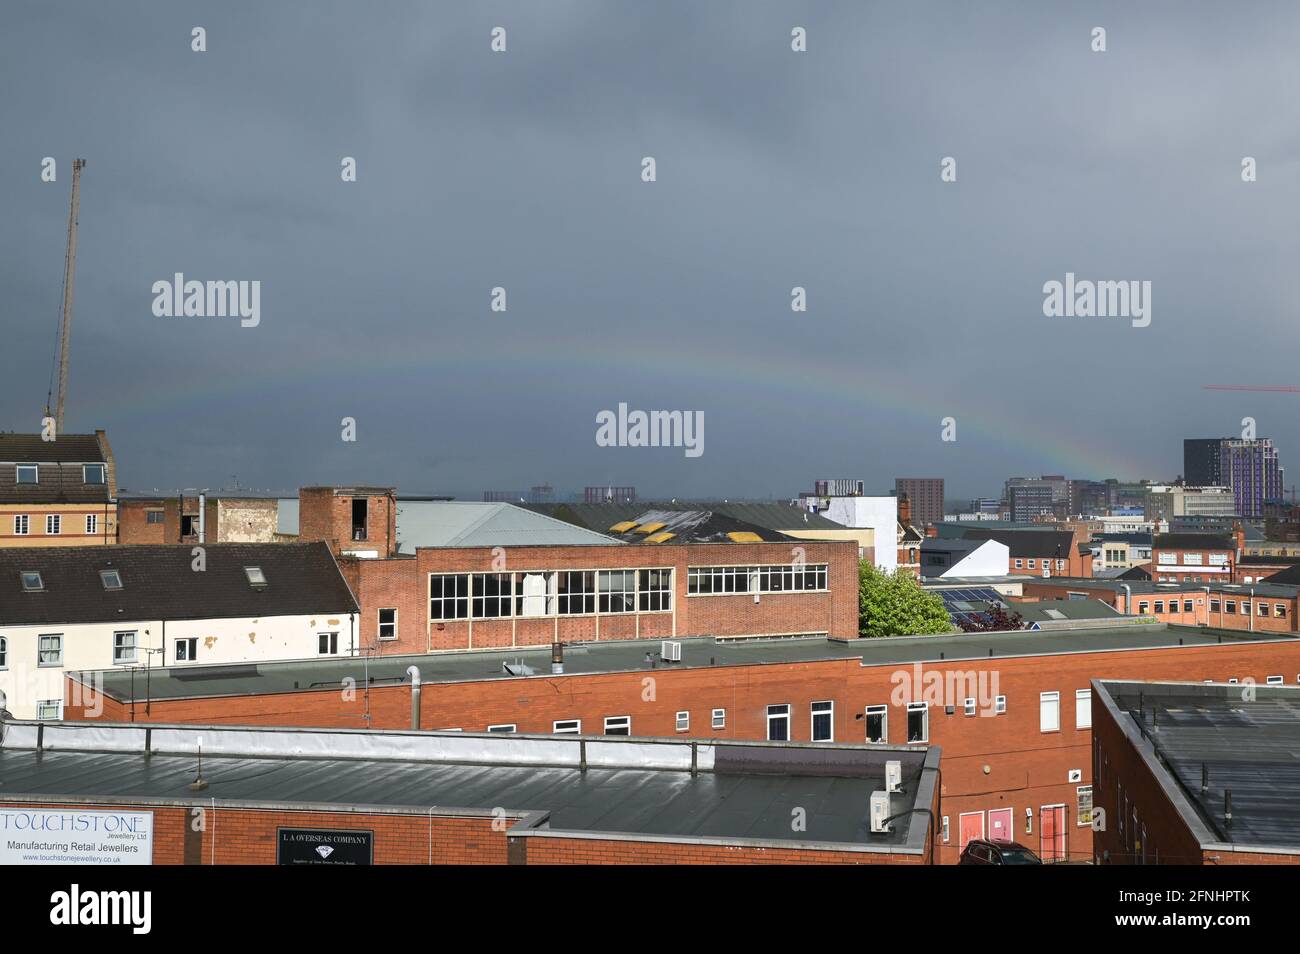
159 583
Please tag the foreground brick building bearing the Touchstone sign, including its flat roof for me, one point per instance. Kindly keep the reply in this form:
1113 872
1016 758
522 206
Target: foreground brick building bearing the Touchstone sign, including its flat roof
187 795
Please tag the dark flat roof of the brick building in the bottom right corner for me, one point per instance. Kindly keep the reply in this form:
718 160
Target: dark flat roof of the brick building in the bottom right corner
1250 747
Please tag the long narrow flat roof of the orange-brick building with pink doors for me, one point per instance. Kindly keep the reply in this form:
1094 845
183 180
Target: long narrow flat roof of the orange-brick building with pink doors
630 656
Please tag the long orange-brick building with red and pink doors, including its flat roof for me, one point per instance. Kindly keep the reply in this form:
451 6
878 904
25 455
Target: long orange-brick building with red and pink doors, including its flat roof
1011 710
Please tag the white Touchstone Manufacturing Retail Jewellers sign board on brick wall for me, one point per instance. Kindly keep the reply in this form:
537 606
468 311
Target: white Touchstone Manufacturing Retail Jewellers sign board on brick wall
72 836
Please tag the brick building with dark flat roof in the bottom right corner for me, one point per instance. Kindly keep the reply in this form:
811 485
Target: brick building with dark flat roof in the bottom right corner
1194 774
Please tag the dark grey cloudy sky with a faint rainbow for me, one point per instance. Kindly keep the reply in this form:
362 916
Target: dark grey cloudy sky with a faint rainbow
522 170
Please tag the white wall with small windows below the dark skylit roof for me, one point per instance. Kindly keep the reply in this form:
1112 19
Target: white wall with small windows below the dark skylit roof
90 647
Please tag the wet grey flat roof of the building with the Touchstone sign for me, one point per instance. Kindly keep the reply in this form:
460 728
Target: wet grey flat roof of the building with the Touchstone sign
674 790
